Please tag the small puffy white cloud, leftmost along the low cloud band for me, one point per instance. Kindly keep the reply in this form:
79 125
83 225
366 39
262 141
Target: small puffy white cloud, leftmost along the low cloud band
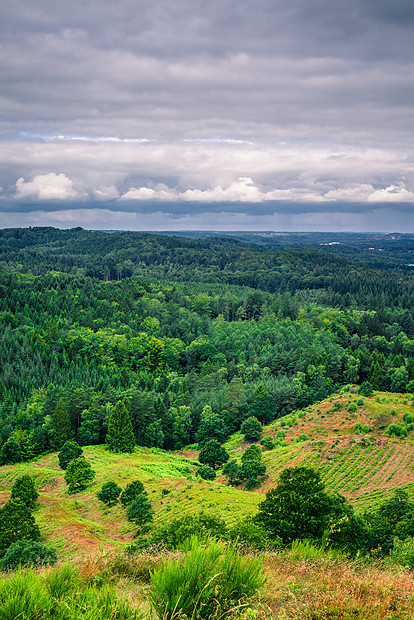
49 186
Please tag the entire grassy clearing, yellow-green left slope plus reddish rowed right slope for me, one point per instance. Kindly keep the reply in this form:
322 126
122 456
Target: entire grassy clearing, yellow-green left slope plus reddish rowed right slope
365 466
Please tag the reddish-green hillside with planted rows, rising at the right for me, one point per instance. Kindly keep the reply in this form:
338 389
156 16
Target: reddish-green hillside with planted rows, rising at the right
344 439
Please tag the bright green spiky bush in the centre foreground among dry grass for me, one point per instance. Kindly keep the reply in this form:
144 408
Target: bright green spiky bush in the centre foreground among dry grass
208 582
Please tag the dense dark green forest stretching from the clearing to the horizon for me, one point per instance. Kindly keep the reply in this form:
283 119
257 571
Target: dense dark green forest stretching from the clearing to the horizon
169 325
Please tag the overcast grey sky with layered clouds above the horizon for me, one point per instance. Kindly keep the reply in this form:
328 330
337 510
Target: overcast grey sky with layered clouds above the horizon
217 115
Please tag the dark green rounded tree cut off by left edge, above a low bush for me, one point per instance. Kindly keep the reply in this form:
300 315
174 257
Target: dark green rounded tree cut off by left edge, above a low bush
16 523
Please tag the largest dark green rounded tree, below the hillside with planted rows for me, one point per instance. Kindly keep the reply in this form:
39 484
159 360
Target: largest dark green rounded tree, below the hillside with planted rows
298 507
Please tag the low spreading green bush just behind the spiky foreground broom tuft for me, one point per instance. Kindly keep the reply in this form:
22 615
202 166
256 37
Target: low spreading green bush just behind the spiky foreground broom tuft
203 525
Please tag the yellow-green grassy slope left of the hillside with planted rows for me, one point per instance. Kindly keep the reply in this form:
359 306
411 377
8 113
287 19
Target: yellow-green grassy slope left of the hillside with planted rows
82 523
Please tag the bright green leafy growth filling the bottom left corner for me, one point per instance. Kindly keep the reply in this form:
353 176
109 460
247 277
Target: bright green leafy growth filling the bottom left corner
61 595
